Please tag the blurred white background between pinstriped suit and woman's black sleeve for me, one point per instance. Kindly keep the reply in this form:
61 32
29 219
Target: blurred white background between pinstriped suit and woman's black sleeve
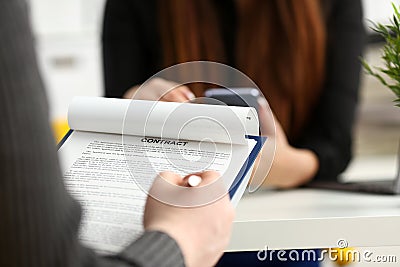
68 43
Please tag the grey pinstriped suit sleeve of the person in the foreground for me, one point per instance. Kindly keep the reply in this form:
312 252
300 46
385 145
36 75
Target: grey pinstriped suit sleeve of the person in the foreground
39 220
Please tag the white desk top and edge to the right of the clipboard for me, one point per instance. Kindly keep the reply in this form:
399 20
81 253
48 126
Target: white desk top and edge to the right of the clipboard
311 218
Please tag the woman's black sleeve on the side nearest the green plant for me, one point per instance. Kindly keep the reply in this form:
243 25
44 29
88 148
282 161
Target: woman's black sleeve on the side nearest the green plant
329 133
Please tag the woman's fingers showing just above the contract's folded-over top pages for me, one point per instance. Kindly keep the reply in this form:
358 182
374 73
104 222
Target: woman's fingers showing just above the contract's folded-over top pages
158 89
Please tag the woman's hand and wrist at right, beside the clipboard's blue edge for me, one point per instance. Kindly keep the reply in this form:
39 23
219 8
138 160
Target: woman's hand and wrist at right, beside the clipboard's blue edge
291 167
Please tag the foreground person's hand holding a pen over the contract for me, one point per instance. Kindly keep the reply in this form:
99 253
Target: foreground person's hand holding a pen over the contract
201 232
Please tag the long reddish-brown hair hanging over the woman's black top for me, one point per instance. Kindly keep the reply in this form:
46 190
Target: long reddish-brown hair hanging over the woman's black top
280 44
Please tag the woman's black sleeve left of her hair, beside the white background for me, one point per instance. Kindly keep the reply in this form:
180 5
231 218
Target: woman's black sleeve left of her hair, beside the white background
130 44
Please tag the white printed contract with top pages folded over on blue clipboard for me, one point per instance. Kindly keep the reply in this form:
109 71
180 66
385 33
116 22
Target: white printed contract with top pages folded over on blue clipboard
117 147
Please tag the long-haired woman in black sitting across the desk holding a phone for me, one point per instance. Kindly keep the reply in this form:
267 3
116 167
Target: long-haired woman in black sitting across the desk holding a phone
303 55
